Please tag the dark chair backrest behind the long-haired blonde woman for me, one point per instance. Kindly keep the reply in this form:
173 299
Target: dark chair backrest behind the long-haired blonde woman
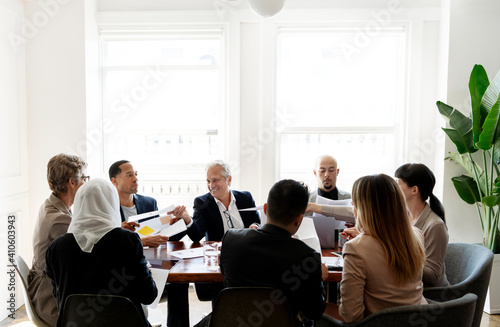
453 313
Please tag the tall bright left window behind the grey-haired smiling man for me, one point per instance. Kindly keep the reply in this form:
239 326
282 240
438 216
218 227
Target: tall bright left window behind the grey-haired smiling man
163 107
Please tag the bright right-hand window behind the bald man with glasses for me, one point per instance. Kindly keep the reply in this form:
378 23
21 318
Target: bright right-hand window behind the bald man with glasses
338 101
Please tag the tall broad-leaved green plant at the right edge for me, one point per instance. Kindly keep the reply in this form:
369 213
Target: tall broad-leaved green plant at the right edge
477 139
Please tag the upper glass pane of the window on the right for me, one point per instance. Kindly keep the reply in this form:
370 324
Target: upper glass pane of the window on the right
324 80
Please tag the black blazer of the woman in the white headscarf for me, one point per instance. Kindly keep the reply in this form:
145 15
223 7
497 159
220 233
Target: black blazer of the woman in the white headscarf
116 266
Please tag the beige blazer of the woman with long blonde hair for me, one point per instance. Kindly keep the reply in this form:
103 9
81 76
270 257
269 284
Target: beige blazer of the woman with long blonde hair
368 284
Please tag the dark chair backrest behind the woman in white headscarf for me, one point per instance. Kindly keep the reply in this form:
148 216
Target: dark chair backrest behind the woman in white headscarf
100 310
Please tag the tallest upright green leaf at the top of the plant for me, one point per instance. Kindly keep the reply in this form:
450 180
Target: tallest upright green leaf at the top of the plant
478 83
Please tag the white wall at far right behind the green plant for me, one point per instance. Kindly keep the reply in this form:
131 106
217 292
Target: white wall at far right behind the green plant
473 39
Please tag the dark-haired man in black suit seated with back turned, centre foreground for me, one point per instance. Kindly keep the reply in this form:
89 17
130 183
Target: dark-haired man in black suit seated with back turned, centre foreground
270 257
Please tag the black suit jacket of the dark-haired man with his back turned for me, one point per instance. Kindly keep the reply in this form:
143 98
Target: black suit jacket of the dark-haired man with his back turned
270 257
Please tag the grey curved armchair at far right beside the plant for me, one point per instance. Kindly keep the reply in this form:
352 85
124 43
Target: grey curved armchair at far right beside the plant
468 269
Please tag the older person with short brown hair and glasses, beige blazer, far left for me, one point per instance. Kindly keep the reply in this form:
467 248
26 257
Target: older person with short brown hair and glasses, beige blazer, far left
65 174
